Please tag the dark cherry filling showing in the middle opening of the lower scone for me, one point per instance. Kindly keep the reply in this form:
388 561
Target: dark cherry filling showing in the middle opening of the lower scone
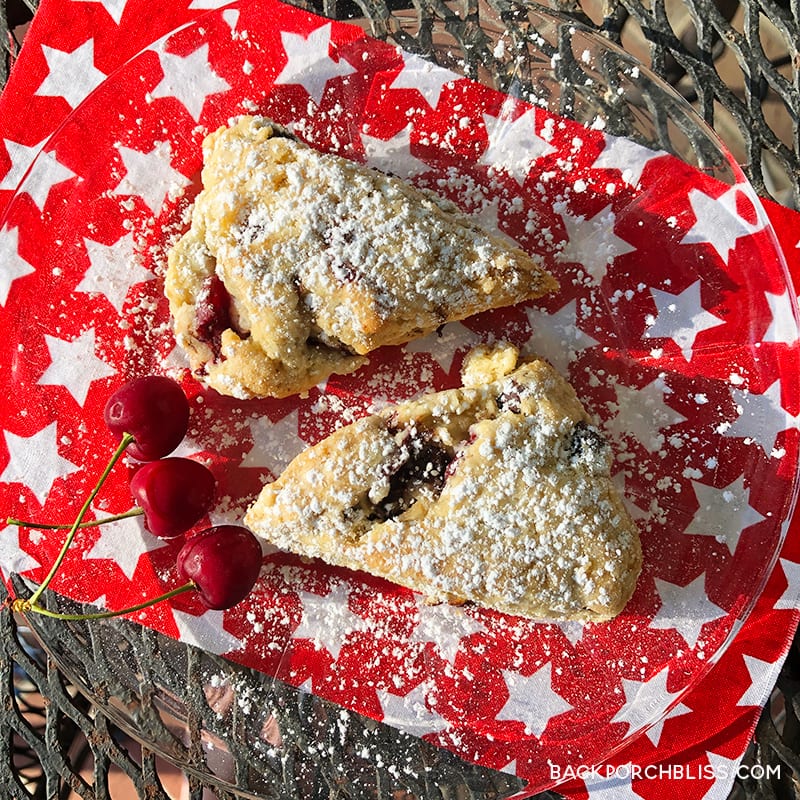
421 468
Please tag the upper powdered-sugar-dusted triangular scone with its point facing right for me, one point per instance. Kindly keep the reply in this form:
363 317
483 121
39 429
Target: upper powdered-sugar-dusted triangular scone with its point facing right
298 263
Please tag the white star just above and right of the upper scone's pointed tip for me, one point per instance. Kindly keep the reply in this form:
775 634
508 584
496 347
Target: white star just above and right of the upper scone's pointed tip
592 243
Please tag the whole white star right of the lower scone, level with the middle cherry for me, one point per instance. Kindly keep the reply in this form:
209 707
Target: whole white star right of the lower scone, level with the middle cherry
724 513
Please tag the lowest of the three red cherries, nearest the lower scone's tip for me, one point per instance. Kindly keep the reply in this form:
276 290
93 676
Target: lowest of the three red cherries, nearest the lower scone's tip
223 562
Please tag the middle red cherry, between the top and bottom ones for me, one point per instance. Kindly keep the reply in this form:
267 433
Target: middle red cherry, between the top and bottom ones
174 494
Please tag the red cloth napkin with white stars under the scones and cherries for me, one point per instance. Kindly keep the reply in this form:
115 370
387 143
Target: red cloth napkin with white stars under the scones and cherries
681 349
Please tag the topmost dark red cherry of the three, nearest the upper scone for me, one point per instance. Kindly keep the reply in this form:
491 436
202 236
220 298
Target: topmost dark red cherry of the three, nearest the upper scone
154 410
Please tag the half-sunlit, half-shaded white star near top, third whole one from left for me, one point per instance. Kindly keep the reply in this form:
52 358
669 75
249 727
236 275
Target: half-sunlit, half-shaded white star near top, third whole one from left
310 64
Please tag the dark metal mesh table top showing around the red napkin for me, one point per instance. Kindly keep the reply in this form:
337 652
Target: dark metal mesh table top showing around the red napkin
738 64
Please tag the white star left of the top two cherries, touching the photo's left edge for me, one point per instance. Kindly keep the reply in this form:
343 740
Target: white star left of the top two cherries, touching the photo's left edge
34 461
